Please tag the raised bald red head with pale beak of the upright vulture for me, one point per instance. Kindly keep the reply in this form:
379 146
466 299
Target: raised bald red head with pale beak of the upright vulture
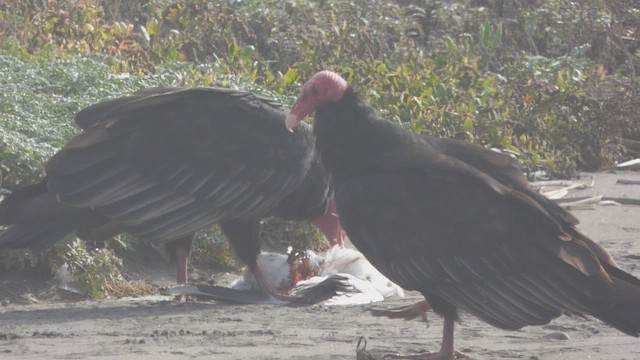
322 88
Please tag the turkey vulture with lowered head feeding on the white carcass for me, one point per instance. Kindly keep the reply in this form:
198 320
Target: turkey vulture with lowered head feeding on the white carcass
165 162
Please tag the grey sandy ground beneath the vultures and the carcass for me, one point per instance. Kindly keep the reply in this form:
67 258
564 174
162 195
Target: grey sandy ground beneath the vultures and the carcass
155 329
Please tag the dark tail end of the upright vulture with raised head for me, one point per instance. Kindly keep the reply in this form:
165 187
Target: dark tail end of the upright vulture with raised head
625 314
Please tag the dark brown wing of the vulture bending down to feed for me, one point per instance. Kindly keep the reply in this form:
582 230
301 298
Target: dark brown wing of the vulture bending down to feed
166 162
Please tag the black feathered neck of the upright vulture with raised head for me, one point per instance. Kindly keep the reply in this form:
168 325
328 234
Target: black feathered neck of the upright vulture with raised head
350 135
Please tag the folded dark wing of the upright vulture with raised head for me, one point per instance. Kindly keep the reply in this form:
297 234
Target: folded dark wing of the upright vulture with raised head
435 224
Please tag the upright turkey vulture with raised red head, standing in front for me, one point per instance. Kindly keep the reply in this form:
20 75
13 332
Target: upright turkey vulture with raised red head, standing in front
466 234
